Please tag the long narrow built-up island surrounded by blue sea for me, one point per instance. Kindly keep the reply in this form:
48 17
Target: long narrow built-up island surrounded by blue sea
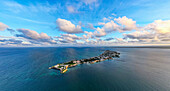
104 56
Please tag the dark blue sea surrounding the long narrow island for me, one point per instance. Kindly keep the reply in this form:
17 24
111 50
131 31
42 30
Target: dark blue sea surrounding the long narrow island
137 69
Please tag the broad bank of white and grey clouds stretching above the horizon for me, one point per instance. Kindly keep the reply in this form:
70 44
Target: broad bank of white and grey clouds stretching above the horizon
155 32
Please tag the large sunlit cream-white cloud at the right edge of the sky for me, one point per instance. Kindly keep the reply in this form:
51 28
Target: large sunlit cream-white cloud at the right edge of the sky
158 31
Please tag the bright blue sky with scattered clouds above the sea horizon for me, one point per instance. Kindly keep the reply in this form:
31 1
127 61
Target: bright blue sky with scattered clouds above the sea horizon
84 22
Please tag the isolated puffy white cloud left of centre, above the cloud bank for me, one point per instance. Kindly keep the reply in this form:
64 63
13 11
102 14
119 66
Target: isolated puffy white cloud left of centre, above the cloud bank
68 27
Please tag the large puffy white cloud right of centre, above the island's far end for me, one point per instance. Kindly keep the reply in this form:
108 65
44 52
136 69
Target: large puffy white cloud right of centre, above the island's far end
125 24
